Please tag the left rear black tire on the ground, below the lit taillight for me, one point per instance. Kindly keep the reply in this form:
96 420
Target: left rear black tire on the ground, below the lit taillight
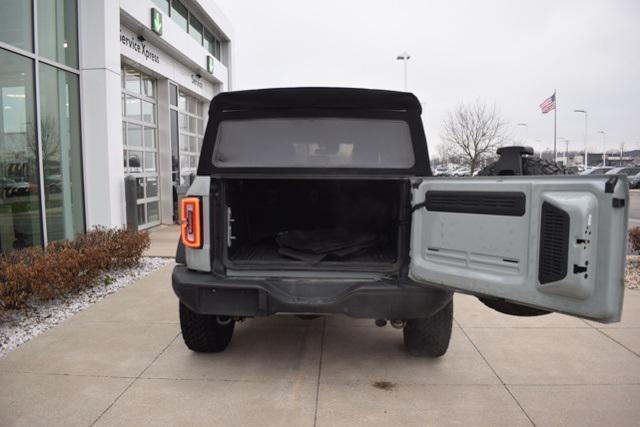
203 333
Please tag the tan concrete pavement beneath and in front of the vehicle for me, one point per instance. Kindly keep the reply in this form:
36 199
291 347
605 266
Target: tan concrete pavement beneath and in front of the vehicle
123 362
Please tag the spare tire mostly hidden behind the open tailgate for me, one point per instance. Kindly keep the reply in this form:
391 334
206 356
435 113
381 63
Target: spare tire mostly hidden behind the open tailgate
530 166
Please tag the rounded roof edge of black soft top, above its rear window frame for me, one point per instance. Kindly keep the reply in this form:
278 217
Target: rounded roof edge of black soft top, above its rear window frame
333 98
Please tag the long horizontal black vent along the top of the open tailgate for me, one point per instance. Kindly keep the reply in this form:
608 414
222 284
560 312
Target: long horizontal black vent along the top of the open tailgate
508 203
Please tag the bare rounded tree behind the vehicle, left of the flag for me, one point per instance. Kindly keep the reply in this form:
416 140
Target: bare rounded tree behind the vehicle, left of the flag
475 132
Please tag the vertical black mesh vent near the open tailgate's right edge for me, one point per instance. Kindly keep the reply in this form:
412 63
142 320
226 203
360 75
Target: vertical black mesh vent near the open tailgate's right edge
554 244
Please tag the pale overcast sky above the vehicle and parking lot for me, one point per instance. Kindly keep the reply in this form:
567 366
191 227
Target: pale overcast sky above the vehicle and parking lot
511 53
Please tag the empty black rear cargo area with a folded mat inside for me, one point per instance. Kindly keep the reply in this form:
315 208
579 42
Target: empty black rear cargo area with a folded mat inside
310 222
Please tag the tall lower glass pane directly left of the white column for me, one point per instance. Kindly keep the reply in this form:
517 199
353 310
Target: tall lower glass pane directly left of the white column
61 152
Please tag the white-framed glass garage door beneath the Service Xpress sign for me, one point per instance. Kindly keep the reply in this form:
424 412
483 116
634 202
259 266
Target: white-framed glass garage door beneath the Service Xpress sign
139 128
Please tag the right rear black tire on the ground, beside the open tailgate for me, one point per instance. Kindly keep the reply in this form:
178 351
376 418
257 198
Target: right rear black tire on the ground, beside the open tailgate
429 337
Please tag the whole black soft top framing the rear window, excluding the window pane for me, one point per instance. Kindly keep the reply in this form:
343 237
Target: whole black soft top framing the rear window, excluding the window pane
315 102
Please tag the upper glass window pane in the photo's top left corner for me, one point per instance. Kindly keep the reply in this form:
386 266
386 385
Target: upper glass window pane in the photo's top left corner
15 24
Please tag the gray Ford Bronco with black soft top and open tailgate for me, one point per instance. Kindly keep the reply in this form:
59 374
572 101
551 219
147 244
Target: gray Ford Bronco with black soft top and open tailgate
318 201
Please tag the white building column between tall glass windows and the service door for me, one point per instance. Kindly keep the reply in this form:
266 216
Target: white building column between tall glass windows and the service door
100 87
